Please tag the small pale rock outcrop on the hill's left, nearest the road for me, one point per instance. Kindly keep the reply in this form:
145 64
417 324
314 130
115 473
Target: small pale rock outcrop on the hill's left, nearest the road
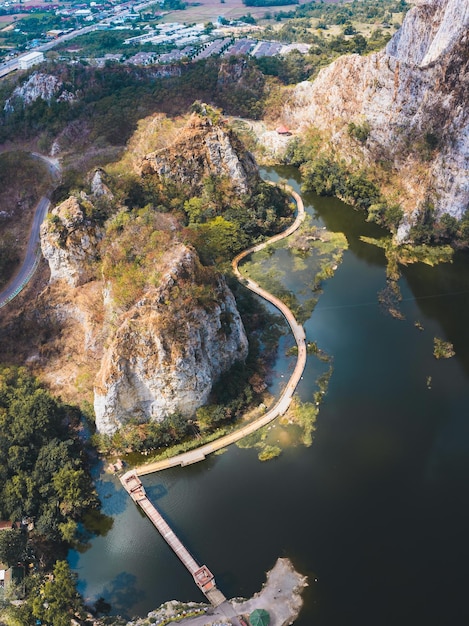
69 243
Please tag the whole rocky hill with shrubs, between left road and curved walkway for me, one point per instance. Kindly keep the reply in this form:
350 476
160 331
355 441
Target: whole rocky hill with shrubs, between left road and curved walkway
132 320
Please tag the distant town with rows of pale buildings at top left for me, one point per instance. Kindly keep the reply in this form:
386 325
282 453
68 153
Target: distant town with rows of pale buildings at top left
139 33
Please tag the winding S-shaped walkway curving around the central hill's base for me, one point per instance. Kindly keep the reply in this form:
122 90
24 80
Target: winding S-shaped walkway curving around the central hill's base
282 404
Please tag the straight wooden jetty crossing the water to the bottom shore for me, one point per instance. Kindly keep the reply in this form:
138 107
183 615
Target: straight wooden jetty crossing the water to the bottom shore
203 577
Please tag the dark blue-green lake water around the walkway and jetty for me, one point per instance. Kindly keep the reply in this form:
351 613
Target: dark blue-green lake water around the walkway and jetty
376 509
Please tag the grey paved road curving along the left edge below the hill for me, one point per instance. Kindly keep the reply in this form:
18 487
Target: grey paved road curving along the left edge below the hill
33 251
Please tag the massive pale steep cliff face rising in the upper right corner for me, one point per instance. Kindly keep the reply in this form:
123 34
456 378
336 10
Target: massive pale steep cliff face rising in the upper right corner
412 95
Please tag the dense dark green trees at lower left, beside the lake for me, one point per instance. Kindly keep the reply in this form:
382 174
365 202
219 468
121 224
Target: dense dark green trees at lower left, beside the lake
43 471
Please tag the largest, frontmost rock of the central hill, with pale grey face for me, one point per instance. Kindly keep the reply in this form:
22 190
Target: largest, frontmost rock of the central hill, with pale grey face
169 348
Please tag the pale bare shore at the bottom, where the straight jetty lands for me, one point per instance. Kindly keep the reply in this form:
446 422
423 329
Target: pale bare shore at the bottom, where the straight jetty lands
280 596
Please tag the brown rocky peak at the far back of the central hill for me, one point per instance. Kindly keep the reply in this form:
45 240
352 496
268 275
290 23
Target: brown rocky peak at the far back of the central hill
203 148
